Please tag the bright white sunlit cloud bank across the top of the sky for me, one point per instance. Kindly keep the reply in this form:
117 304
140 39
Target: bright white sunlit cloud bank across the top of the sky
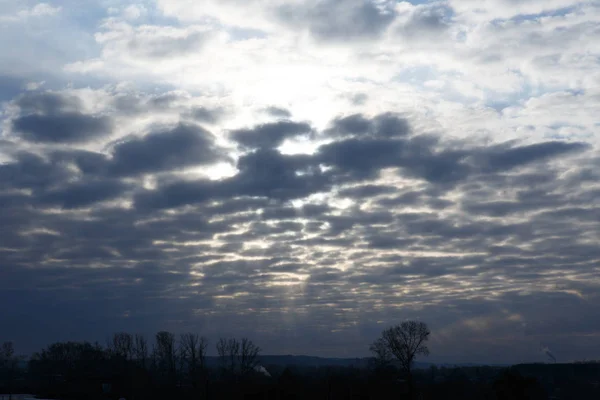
479 63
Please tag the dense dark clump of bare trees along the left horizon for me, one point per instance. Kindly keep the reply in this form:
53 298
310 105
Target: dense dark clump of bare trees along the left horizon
128 365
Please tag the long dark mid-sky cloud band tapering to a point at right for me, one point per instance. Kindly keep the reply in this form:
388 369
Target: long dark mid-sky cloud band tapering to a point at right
372 145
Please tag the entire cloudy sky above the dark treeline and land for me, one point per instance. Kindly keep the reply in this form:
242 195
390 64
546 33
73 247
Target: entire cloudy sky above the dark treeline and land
305 173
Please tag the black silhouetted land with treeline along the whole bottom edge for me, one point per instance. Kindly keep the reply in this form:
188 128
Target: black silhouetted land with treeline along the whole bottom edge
169 370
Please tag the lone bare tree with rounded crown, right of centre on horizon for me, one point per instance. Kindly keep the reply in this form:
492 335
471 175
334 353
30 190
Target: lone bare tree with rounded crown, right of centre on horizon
405 342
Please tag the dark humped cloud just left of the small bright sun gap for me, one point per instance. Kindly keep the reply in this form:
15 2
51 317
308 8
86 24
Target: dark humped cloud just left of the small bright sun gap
182 146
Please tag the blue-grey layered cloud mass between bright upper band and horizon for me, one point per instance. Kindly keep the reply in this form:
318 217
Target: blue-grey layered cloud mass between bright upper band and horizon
476 240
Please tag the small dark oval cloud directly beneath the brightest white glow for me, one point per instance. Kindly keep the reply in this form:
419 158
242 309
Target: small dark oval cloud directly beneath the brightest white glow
270 135
